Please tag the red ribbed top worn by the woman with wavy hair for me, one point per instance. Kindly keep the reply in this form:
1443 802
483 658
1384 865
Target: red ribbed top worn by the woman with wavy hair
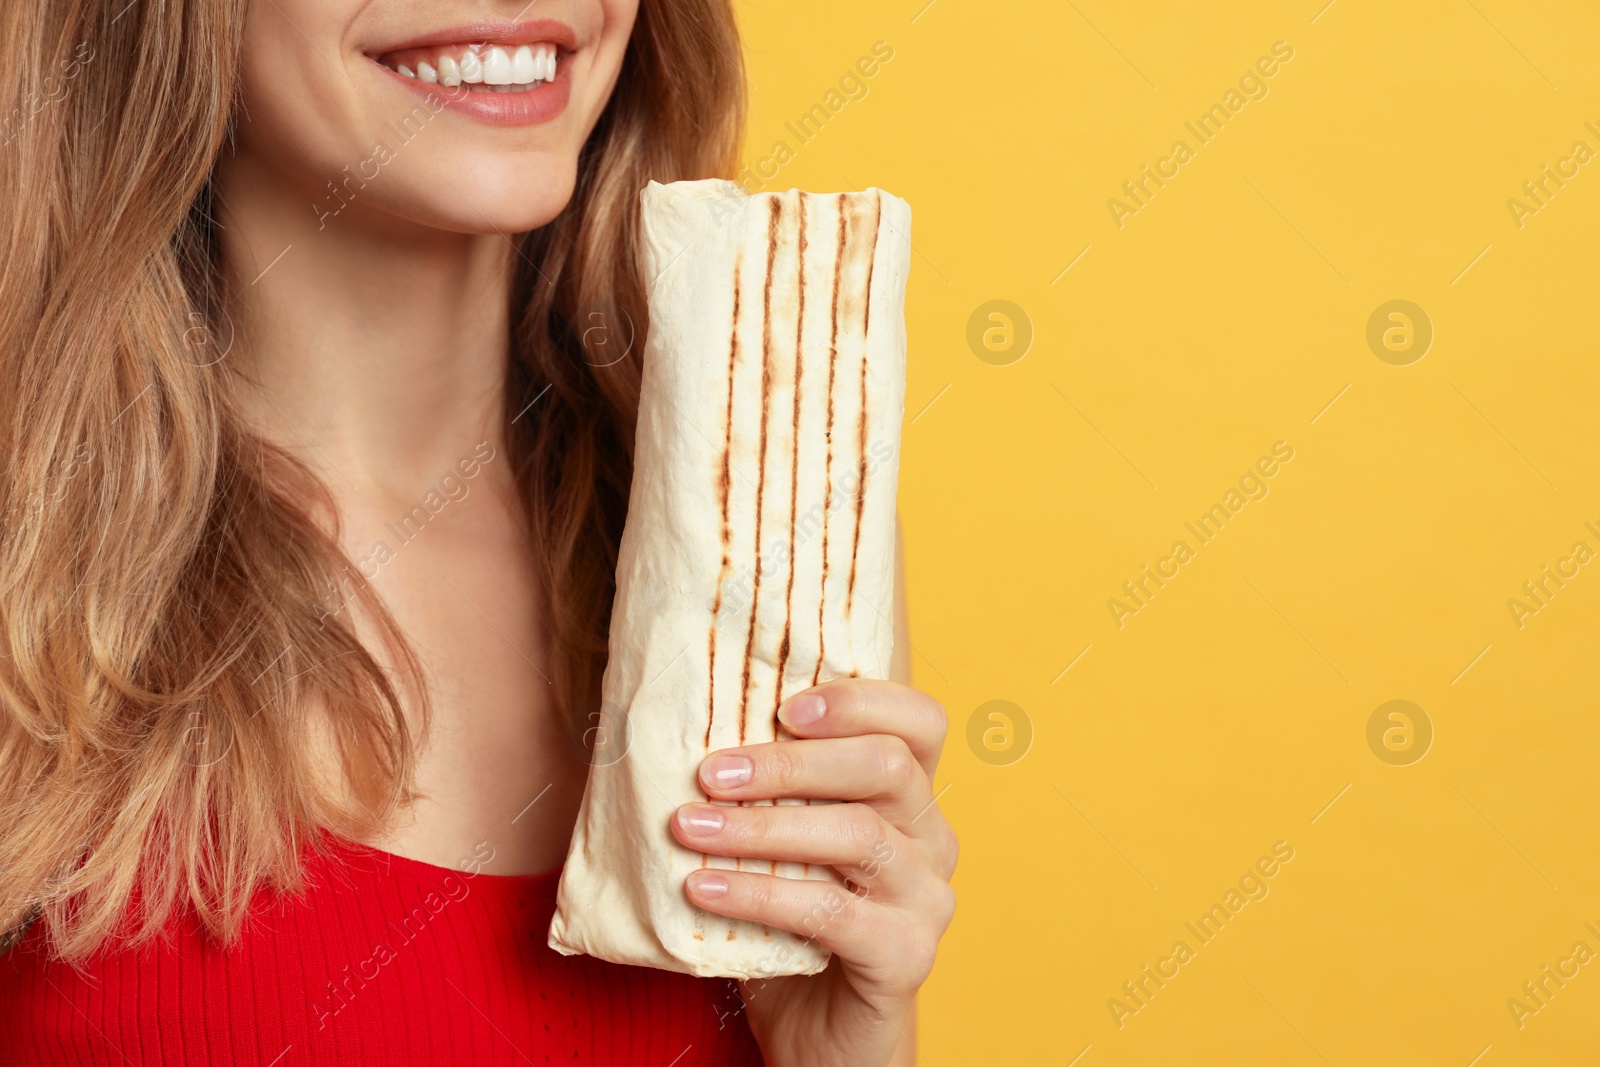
385 961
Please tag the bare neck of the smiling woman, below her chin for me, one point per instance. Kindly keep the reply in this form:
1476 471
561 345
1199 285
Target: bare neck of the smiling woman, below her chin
374 350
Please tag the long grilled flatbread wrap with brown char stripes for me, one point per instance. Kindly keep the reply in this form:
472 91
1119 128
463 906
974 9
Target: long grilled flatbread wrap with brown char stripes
759 551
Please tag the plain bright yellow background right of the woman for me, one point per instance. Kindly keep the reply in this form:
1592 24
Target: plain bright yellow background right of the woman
1223 318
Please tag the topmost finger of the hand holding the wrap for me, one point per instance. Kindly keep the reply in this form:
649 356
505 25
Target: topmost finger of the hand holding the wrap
863 706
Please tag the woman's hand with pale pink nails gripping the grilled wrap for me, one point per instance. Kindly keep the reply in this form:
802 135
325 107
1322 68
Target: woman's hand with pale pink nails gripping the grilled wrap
873 746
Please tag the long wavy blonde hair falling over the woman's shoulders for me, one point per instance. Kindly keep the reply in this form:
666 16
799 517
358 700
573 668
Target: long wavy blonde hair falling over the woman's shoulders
167 642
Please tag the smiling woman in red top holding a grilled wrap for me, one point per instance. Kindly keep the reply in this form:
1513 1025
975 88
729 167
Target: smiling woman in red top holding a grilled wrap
316 471
